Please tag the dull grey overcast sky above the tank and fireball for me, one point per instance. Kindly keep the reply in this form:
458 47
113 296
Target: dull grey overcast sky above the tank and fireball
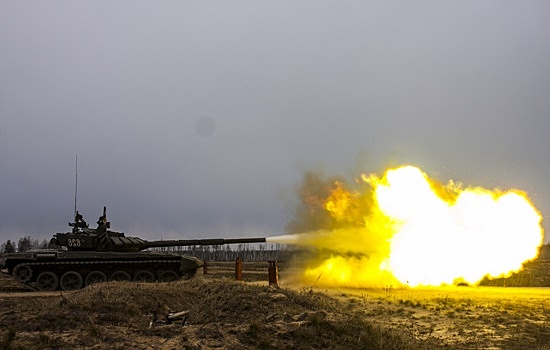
199 118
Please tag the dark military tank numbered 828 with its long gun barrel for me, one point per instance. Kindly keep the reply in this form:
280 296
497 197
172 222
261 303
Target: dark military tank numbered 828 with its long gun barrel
85 256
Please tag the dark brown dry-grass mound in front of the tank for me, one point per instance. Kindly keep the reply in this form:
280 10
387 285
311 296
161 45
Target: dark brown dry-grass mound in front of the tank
223 314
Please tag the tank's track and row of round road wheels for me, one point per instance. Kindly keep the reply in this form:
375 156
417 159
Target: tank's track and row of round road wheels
72 275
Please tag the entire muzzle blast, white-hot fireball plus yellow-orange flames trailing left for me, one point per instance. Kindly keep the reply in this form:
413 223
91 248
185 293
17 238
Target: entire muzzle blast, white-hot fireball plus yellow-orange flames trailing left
420 232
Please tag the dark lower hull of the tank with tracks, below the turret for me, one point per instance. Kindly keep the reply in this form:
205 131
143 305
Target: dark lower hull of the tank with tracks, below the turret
68 270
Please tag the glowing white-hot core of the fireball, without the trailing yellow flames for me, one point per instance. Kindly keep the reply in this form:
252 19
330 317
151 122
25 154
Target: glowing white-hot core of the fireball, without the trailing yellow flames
472 233
